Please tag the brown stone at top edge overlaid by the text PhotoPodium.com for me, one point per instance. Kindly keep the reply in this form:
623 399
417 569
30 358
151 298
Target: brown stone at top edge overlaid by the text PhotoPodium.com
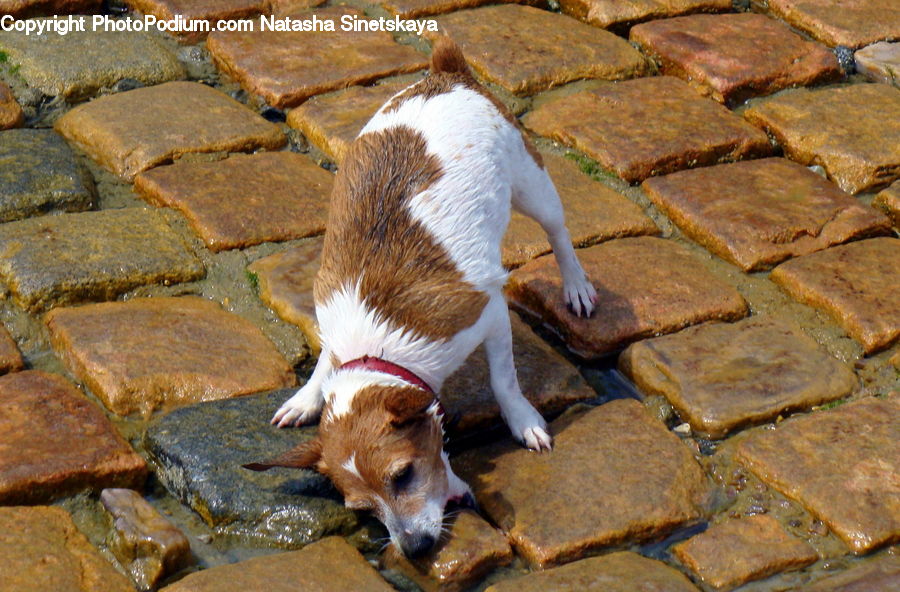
211 11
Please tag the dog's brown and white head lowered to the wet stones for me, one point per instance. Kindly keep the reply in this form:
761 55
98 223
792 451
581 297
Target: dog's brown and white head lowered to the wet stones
384 453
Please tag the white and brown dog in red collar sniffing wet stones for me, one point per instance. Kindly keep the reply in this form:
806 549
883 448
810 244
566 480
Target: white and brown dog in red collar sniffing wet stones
410 284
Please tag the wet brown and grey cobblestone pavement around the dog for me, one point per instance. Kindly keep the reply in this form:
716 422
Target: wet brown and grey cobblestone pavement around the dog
728 419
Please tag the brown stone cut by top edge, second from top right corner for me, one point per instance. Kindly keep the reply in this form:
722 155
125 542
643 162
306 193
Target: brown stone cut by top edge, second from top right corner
616 14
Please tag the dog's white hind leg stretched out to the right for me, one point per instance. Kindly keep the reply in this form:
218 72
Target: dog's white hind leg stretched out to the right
535 196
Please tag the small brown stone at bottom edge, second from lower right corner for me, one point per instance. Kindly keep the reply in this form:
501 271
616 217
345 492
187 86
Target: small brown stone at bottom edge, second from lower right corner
735 552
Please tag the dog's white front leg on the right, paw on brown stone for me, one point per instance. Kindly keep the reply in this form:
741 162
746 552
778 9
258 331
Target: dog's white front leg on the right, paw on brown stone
524 421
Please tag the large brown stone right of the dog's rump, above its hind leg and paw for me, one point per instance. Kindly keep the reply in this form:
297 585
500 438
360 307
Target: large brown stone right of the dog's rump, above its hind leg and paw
646 127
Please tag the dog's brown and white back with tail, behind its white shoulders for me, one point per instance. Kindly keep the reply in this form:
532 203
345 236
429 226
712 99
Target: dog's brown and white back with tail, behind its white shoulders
421 203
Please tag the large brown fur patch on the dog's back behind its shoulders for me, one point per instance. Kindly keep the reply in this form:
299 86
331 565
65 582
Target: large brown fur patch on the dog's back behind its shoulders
403 273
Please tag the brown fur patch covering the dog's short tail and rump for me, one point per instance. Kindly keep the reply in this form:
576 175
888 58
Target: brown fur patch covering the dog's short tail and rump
448 70
